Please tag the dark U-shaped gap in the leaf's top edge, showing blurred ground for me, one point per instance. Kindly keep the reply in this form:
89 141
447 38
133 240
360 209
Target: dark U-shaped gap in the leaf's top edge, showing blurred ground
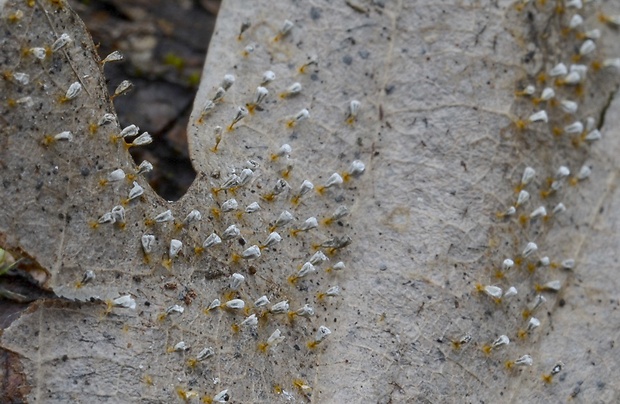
164 46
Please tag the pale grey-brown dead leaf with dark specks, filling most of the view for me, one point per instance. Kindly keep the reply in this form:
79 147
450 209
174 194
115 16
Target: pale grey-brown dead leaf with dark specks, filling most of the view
445 129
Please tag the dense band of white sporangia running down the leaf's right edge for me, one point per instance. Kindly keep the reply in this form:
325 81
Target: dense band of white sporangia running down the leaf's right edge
557 89
